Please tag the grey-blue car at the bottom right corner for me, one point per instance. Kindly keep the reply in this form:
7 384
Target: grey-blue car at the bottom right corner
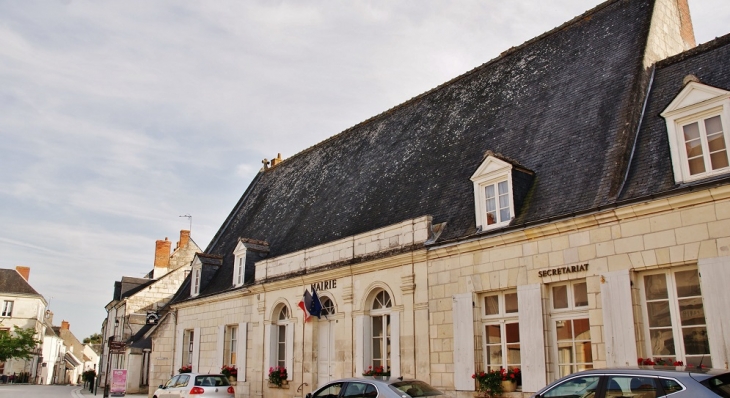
641 382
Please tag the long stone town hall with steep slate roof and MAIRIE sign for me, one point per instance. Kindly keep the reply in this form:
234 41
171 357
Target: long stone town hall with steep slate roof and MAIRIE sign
561 207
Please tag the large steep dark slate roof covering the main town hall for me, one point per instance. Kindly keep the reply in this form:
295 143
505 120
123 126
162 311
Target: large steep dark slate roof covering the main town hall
564 105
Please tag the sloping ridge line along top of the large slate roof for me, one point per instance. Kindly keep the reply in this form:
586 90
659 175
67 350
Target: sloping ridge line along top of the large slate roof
501 56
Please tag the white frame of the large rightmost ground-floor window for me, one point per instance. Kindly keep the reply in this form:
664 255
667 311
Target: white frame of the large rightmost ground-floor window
674 312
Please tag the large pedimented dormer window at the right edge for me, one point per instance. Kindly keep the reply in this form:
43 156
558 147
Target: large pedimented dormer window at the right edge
698 121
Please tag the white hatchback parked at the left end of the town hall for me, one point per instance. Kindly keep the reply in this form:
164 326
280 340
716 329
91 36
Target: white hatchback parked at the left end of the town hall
195 385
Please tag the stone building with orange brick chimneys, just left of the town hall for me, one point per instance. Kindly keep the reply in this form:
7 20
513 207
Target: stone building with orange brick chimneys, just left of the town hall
137 304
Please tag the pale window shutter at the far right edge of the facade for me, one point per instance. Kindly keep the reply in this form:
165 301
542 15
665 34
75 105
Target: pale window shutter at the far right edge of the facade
714 274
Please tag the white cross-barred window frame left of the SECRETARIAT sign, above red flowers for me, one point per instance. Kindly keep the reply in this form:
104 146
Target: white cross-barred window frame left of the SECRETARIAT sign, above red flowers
502 318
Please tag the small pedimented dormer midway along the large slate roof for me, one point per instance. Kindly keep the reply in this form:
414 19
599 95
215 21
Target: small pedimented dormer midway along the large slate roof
495 195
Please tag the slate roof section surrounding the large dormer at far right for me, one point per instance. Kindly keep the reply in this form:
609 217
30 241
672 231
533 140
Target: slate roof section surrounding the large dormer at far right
651 169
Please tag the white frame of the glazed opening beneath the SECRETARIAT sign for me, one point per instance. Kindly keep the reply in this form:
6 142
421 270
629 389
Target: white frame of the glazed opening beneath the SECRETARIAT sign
571 313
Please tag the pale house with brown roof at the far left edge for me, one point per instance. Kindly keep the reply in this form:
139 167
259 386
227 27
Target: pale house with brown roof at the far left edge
24 307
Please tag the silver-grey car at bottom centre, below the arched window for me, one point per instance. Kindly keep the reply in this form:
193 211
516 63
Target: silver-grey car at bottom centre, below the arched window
372 387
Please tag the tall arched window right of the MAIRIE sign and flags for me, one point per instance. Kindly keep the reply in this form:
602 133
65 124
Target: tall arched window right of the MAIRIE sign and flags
380 322
